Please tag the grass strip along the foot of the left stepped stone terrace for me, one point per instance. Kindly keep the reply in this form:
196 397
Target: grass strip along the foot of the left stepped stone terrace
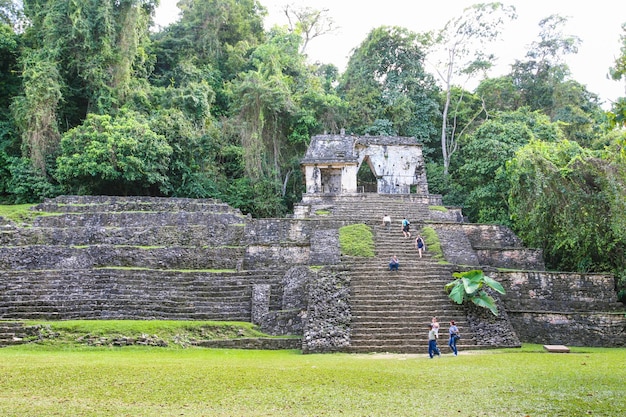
171 332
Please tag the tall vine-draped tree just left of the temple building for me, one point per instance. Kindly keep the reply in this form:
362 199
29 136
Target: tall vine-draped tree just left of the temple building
278 104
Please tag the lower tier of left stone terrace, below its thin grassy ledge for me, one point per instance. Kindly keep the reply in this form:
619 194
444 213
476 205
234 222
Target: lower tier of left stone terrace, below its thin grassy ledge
134 293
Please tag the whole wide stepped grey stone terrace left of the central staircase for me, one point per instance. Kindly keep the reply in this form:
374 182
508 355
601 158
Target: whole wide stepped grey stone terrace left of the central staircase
130 258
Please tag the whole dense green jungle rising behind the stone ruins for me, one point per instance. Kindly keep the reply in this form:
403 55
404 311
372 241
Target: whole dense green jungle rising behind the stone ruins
95 100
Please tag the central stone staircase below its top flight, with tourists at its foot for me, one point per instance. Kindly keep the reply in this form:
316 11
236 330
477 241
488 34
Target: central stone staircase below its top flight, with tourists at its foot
391 310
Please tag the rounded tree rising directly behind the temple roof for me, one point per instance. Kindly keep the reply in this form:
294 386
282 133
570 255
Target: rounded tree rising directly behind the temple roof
385 80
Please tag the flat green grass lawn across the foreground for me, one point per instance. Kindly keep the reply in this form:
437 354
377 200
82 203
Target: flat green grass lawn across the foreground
38 380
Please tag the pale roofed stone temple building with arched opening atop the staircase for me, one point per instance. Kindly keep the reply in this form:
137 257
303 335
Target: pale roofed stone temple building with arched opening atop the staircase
332 162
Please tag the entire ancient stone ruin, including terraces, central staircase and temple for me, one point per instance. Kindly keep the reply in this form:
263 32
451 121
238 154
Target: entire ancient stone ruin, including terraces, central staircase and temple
107 257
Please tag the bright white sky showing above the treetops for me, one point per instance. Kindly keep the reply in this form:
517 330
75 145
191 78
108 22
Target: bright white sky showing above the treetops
597 23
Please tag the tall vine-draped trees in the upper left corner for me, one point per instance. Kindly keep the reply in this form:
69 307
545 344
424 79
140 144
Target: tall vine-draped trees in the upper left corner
80 58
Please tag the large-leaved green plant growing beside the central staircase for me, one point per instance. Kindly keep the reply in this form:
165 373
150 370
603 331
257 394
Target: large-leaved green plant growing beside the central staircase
470 286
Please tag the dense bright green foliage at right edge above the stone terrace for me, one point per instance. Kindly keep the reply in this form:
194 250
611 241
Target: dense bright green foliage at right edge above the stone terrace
570 202
